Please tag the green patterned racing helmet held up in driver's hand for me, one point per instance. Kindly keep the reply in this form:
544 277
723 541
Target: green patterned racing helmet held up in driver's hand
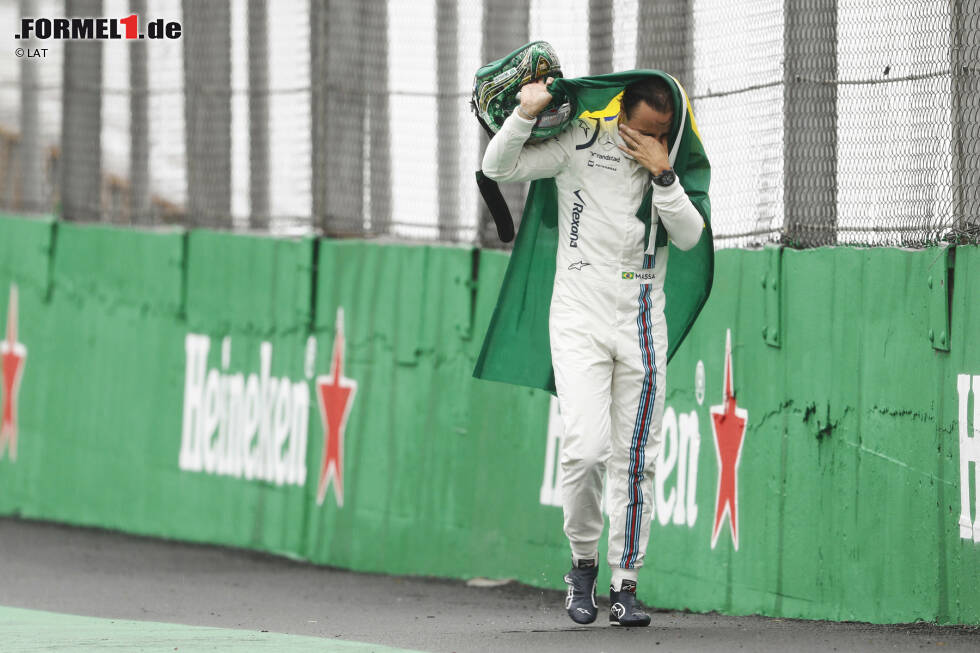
496 85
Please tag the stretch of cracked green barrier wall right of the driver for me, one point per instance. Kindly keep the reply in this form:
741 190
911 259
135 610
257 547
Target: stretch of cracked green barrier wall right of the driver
849 476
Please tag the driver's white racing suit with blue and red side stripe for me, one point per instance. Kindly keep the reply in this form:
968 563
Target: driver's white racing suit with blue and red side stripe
607 327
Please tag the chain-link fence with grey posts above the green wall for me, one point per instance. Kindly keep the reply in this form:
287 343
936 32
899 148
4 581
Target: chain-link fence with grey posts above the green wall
852 122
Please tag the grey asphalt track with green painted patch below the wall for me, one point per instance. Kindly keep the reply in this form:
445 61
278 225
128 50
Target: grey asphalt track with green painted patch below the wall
155 595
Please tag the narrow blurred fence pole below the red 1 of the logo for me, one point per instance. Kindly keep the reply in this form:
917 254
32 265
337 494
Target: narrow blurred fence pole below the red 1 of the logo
139 125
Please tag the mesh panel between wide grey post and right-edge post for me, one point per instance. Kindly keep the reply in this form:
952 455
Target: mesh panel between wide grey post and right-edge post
893 126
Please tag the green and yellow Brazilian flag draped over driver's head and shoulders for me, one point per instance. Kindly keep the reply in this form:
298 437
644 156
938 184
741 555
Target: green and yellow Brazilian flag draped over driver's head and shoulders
517 347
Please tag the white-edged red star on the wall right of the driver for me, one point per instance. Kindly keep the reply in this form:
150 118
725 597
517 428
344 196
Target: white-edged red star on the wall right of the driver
728 424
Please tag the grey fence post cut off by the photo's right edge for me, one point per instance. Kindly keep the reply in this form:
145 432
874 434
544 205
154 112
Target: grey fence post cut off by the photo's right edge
965 69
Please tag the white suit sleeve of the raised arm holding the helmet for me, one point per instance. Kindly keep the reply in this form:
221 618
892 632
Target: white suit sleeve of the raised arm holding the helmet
510 158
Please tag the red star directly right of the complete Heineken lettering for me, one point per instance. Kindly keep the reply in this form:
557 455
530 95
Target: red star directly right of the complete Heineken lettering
335 394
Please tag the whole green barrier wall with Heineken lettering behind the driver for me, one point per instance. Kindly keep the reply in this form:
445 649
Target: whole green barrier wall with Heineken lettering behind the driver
188 385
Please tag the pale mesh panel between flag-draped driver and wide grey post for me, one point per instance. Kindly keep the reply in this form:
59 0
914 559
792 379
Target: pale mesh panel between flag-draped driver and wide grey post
738 98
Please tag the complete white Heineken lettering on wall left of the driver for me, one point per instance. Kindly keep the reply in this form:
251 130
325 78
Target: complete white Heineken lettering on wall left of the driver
247 426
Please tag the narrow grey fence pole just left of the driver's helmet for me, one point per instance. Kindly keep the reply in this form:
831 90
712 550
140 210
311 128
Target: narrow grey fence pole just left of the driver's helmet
447 102
